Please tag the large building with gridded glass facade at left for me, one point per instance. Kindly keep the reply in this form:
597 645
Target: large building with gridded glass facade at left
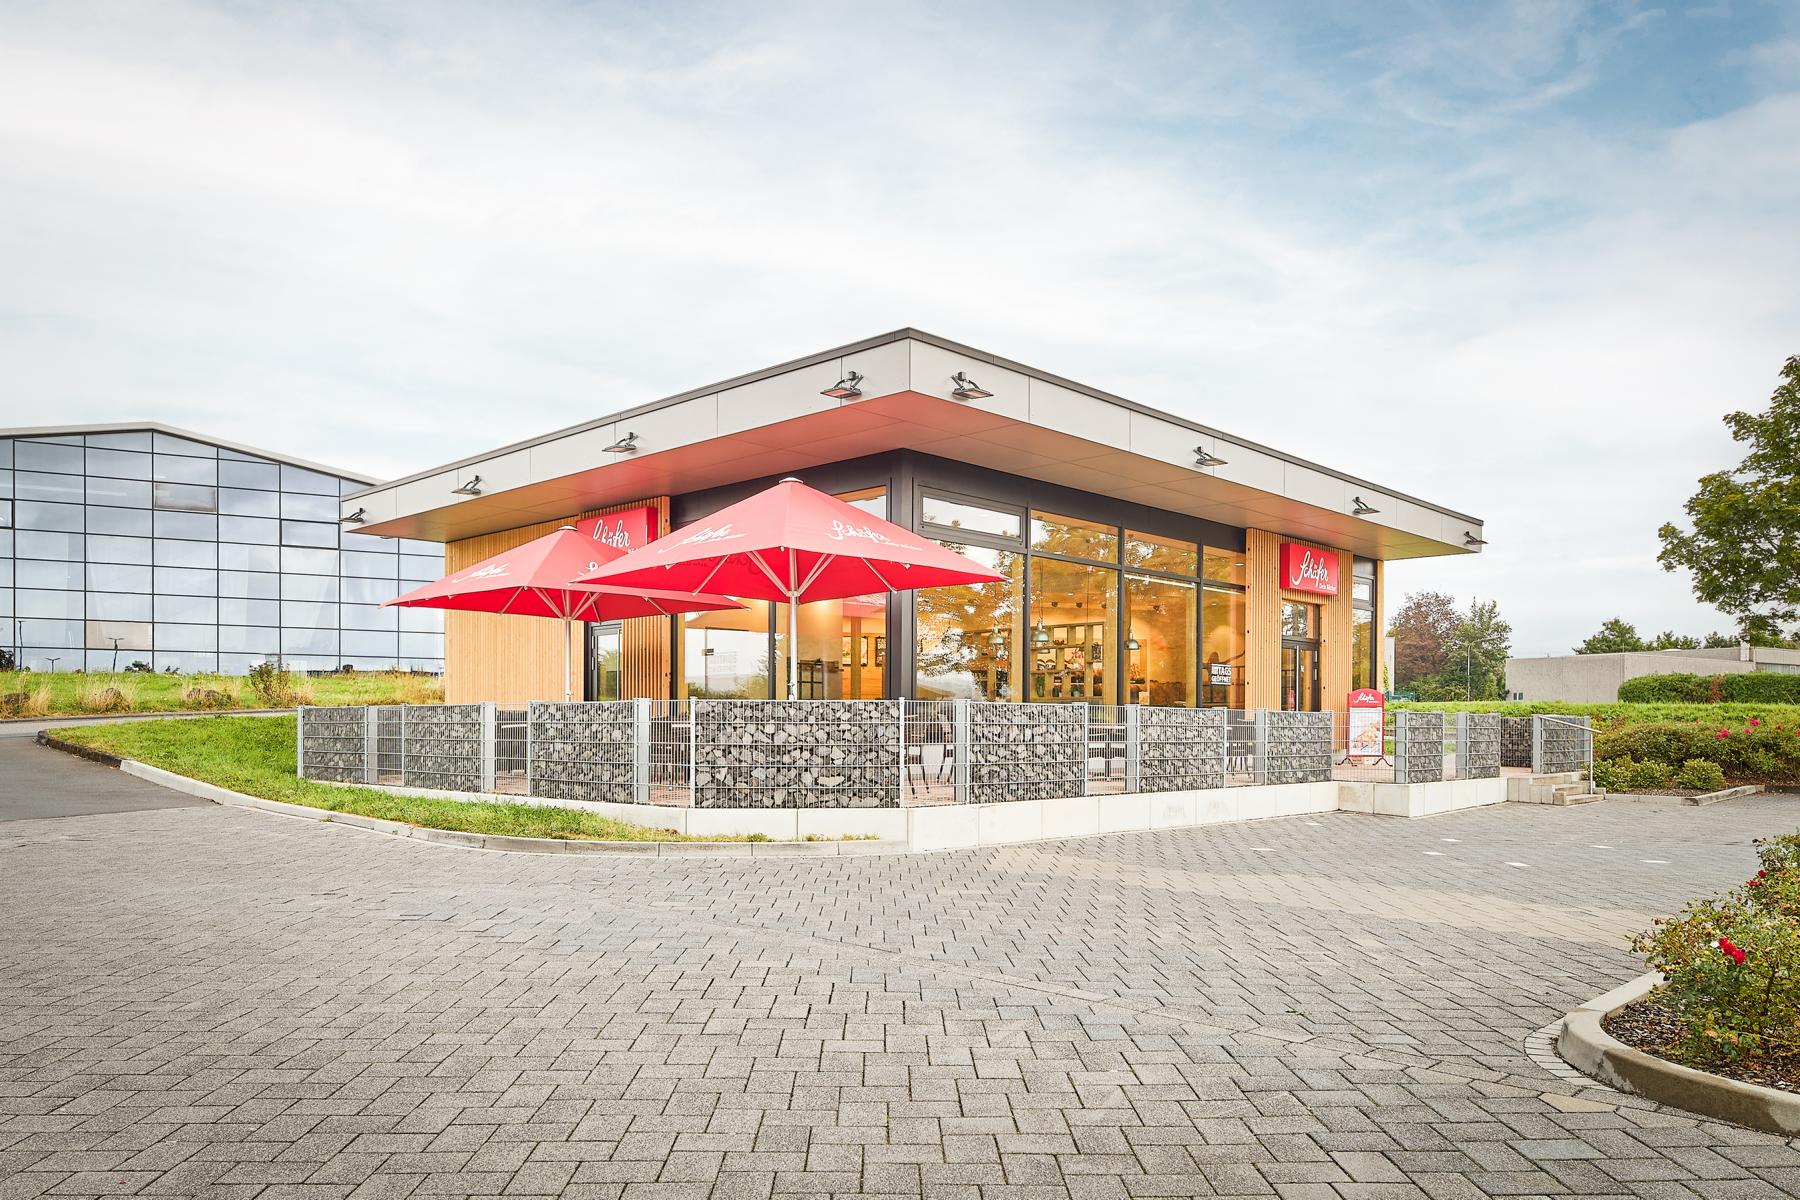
148 546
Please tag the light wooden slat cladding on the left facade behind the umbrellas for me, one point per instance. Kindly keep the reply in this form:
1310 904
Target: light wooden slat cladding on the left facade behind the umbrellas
517 659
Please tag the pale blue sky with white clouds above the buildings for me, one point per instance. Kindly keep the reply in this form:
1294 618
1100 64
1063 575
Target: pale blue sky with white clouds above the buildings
1518 260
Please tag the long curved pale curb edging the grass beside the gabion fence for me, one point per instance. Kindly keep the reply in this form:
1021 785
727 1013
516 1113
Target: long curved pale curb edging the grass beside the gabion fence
462 837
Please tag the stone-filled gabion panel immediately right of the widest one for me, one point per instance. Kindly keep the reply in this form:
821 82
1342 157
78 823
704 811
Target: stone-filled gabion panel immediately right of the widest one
1027 753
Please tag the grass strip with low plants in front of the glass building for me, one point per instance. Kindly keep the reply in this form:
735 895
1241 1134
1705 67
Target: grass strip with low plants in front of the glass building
67 694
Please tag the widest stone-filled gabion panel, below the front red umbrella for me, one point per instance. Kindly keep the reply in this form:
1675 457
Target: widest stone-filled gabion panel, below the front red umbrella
796 753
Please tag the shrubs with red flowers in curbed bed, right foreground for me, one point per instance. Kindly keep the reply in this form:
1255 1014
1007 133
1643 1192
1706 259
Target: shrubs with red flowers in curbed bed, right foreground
1731 963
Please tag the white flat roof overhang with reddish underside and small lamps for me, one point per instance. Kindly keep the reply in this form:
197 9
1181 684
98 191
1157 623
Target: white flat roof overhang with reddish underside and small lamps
1034 425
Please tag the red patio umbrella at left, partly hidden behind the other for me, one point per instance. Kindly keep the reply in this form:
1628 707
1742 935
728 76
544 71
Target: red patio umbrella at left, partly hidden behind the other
534 580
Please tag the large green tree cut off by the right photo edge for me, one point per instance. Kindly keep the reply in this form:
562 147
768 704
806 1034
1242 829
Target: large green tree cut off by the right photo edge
1745 546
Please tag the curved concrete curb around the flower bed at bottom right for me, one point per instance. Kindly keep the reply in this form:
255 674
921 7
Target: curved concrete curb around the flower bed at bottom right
1587 1046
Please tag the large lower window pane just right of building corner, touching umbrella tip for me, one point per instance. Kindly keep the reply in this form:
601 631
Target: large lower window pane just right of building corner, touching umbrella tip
967 636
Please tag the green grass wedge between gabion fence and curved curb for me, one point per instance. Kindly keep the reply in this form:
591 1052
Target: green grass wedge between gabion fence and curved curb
255 755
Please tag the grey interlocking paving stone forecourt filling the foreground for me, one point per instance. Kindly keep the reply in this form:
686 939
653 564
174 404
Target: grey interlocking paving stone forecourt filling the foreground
224 1003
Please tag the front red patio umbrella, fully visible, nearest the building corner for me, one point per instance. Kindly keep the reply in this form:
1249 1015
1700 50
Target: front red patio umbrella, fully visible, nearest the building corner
793 546
